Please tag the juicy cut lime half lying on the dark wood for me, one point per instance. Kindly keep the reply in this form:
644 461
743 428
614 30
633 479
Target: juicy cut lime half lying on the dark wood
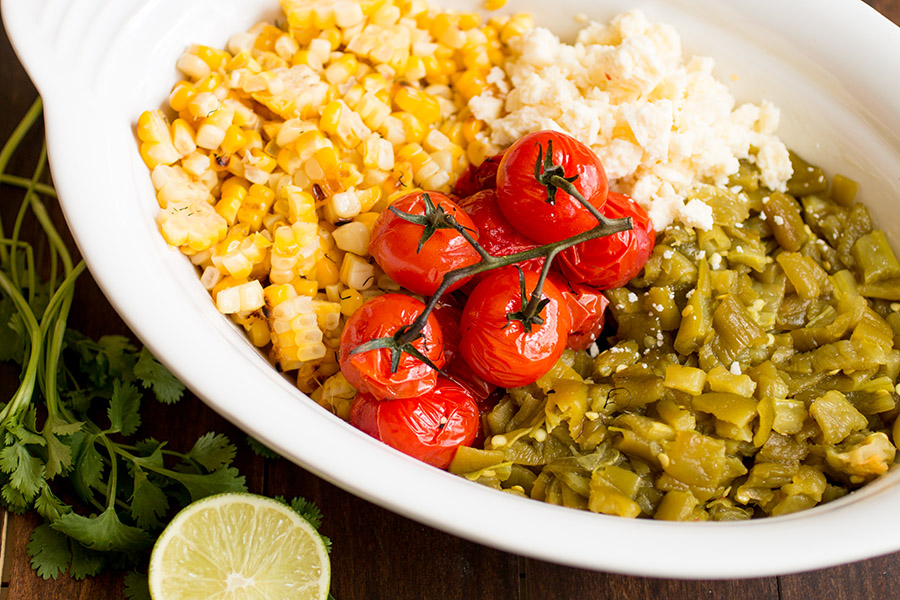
239 546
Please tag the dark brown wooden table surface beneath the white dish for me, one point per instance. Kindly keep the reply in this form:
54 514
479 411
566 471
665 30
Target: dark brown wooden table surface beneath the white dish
378 554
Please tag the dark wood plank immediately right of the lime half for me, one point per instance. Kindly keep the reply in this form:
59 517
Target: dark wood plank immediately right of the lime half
378 554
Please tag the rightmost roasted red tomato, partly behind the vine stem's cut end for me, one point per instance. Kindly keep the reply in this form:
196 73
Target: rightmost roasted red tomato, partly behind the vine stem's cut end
612 261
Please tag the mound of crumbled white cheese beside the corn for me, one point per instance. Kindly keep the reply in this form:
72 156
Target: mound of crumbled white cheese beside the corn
661 124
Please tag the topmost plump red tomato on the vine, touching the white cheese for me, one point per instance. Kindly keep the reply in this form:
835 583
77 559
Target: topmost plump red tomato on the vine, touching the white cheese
523 197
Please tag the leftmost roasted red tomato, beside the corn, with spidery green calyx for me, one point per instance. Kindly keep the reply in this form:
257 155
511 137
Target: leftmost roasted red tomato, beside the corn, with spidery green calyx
370 371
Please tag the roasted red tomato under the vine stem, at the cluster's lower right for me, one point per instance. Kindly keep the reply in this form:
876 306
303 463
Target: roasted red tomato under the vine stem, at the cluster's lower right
496 345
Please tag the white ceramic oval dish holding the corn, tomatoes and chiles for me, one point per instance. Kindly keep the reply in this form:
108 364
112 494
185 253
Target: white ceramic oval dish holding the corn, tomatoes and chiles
833 67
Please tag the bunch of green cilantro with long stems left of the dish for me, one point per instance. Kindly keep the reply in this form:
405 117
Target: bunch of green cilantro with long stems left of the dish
70 447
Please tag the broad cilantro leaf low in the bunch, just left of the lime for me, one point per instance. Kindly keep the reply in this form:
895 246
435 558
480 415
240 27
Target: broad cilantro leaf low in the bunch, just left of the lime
103 532
